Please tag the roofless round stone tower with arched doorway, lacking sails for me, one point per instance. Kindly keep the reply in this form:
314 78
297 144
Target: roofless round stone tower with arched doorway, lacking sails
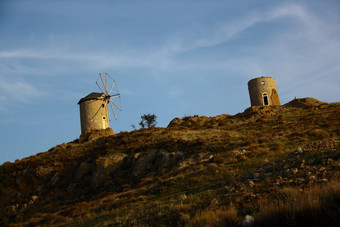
263 92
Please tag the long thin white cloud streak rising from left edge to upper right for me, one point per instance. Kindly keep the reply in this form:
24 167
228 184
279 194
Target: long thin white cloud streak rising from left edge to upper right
171 48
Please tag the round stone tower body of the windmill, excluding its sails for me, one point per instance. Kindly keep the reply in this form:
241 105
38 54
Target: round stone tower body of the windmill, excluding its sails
94 112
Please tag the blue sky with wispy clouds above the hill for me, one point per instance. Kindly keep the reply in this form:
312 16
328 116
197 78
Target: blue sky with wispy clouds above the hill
169 58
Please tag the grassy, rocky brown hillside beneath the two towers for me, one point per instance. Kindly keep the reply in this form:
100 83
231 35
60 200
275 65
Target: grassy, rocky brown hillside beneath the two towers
278 164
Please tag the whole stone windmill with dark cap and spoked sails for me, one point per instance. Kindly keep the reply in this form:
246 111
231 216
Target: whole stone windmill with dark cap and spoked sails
94 108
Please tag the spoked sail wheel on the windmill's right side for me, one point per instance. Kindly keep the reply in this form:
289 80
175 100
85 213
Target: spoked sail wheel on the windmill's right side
108 95
